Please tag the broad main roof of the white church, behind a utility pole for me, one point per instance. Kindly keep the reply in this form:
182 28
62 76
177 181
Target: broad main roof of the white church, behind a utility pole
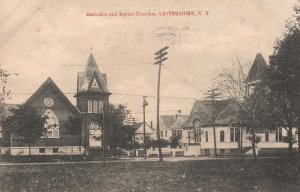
202 111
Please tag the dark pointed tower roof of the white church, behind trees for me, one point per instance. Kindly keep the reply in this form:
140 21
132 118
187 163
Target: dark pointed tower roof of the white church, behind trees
257 69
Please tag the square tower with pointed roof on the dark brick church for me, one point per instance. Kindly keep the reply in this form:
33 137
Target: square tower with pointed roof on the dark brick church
92 96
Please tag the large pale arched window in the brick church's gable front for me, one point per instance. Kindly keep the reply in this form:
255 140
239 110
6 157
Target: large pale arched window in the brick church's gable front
52 125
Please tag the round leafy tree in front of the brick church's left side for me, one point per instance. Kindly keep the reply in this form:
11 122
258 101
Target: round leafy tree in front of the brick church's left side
27 125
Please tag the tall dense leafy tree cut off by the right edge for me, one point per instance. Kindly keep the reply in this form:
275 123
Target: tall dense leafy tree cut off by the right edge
284 77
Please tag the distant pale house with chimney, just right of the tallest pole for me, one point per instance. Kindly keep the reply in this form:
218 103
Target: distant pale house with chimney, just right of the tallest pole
172 125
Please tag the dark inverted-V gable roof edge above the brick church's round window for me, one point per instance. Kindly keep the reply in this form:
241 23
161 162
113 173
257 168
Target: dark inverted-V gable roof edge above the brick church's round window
41 89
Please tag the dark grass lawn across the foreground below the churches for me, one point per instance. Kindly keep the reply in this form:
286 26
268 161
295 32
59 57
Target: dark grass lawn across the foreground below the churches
209 175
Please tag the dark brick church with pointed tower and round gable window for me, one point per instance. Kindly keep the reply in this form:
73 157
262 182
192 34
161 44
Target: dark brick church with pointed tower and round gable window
91 96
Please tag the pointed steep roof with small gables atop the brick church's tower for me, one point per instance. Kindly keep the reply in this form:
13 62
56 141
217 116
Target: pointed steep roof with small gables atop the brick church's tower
85 79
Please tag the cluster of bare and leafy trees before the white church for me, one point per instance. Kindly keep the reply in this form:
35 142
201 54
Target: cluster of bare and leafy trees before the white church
274 100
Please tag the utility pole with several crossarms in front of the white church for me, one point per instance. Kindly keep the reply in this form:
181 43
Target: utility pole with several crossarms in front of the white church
212 96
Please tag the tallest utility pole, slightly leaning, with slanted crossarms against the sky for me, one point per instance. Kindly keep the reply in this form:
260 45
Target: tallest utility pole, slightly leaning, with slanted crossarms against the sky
160 58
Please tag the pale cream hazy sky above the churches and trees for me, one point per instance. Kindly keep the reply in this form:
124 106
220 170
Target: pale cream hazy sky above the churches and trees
41 39
